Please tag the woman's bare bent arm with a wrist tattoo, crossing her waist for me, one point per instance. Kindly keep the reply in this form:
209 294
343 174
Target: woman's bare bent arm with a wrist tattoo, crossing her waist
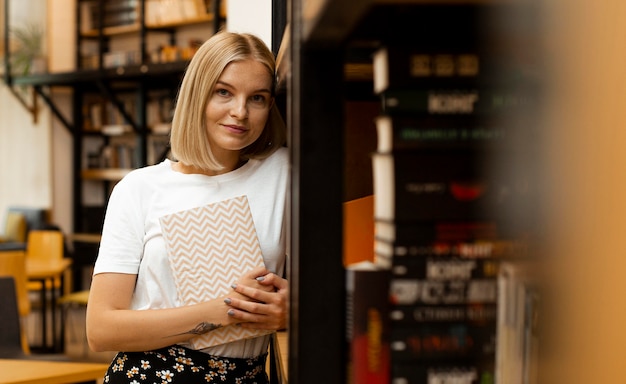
113 326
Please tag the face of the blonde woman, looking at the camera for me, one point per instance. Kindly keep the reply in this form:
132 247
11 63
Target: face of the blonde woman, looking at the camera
238 107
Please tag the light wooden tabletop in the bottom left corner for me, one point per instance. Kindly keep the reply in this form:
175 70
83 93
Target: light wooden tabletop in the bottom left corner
49 372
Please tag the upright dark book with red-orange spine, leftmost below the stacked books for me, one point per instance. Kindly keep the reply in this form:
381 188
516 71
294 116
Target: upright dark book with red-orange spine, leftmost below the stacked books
367 323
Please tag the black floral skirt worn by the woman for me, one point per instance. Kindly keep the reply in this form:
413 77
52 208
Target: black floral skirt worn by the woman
177 364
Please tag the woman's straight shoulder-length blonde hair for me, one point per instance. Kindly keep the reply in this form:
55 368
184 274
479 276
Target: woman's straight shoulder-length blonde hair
188 138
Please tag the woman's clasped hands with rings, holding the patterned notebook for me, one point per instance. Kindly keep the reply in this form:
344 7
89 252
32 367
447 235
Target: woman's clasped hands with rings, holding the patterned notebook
267 301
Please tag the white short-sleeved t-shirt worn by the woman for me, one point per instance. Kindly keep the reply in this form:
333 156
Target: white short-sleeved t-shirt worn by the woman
132 241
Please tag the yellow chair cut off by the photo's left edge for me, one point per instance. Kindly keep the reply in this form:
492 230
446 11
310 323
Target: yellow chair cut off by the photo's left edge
13 264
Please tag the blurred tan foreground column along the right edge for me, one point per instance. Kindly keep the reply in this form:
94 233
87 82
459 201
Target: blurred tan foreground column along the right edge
585 316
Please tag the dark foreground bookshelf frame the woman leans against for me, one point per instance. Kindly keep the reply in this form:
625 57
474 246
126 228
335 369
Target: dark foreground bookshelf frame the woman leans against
328 70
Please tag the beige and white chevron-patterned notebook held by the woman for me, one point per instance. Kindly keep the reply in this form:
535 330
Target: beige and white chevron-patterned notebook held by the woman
209 248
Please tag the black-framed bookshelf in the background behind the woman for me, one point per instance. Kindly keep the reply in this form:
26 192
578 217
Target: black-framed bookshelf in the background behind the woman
126 75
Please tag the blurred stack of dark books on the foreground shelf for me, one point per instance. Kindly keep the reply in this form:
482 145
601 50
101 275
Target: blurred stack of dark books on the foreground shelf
427 308
